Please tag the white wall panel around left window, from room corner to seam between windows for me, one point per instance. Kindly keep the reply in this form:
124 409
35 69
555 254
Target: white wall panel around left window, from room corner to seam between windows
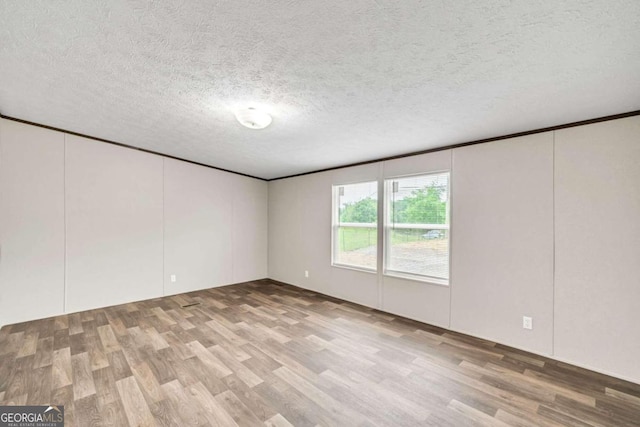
300 236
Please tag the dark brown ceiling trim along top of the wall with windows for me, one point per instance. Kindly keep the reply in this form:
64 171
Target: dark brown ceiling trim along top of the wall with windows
479 141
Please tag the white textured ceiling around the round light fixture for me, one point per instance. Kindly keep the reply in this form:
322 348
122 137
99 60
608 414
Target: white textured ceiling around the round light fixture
345 81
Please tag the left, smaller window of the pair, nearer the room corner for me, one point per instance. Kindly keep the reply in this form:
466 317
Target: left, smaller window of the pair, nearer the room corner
355 225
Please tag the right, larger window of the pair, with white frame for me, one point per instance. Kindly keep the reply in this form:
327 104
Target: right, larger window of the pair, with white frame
417 227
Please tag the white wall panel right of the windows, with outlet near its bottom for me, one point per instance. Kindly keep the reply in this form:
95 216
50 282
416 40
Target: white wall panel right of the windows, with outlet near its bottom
502 263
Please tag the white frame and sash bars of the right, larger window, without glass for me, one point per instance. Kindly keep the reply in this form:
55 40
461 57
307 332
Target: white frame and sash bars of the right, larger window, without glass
387 226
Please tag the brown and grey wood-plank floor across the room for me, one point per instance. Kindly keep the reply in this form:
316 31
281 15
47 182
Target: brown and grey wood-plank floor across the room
267 353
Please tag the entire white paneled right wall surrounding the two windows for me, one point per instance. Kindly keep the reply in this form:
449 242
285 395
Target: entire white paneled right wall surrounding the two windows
503 237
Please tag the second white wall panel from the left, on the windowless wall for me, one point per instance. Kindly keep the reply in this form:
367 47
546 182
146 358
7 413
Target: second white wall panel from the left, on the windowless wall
113 224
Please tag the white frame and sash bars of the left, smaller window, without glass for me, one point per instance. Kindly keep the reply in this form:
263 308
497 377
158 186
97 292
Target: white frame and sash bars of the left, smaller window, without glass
335 226
